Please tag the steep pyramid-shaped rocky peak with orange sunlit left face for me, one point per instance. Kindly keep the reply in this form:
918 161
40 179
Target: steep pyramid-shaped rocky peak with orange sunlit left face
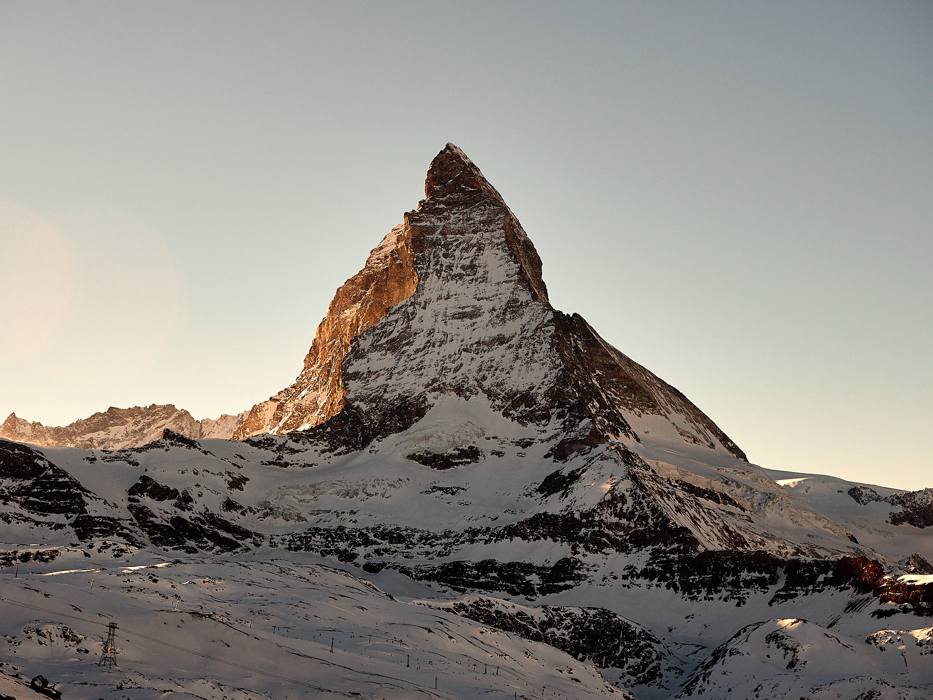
452 302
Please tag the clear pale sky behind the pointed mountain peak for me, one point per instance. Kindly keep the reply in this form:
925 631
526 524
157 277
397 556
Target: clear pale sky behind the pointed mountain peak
737 195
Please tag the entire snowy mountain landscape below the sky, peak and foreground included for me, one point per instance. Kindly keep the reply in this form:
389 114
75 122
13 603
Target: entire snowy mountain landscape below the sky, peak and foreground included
464 493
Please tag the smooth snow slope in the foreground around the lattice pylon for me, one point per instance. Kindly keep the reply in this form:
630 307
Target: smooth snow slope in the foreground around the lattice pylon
272 628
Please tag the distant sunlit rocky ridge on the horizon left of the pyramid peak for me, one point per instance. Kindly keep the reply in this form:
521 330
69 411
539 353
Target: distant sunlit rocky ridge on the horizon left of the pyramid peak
119 428
